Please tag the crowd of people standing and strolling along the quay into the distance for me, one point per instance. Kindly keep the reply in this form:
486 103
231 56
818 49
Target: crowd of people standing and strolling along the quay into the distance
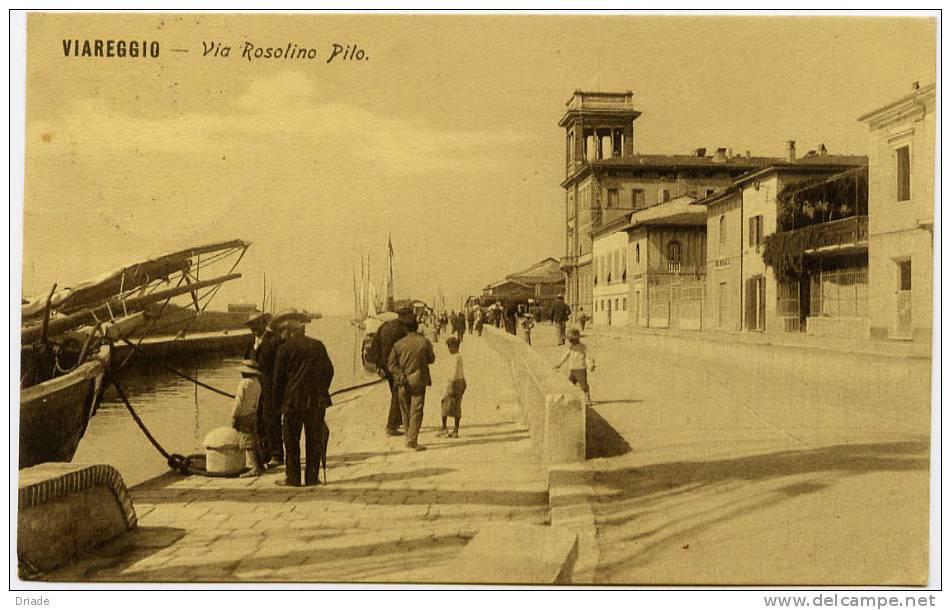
284 391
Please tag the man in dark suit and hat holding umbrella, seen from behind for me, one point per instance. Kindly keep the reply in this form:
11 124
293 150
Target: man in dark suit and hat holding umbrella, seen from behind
302 375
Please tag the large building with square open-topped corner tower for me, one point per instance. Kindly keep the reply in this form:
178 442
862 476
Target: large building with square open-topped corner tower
605 179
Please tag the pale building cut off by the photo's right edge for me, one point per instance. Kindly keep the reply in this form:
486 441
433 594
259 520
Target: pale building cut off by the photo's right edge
901 216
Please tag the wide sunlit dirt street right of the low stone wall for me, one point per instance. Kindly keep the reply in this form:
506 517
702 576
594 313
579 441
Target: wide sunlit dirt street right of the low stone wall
728 463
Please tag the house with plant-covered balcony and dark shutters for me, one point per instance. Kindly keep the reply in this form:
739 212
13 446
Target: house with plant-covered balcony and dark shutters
805 249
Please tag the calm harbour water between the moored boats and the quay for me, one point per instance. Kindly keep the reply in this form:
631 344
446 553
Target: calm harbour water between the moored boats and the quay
179 413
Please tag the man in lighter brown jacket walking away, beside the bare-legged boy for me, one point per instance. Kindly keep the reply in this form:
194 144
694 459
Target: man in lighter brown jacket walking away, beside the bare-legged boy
409 364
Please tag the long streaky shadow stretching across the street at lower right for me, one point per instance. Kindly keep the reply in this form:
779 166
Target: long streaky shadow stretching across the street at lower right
688 497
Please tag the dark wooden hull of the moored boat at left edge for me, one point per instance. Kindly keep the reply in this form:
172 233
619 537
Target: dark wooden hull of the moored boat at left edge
54 414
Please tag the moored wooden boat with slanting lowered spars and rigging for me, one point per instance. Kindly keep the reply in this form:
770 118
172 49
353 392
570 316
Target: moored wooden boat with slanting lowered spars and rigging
67 340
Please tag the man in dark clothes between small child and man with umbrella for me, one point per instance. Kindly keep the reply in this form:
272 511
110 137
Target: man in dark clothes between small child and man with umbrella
263 350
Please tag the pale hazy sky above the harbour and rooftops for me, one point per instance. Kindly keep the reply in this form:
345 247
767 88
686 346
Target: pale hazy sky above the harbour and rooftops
445 136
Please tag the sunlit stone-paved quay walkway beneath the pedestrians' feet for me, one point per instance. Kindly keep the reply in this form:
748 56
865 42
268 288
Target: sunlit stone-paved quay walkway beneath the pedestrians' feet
387 515
